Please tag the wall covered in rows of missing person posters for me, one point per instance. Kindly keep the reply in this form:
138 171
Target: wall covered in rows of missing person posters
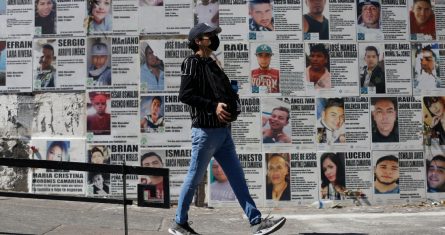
339 98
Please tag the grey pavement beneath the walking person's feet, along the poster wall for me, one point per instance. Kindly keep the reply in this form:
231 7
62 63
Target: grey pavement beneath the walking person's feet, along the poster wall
33 216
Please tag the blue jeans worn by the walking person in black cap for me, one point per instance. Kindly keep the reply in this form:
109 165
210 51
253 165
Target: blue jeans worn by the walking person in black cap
216 142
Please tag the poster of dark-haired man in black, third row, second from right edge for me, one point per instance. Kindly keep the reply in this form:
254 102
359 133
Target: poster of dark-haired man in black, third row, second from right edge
396 122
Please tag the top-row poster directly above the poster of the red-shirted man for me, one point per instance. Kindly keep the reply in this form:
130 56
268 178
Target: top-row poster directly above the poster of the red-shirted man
270 21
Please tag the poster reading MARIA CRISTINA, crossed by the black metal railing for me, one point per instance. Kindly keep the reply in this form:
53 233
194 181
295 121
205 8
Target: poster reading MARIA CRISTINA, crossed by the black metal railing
55 181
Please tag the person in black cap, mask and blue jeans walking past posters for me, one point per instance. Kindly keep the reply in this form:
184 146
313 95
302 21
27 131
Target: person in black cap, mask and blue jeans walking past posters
211 134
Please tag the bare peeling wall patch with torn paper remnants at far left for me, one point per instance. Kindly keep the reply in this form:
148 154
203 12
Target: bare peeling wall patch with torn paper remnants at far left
23 116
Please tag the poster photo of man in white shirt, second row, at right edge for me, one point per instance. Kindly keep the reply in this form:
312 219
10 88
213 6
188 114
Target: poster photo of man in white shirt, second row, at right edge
426 63
